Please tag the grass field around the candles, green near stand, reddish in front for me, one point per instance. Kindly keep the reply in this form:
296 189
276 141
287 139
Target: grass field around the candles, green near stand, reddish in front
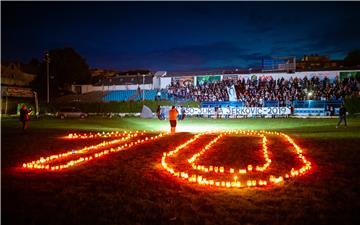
130 187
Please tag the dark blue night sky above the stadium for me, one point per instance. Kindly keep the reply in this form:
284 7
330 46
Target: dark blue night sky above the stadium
179 35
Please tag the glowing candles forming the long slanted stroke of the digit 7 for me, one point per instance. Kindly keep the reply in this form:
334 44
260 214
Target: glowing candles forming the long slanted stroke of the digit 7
91 152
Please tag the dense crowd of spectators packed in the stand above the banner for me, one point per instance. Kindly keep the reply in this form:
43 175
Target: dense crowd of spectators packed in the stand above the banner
255 92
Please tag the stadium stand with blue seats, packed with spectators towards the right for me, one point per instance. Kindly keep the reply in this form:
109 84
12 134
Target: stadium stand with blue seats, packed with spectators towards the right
316 95
